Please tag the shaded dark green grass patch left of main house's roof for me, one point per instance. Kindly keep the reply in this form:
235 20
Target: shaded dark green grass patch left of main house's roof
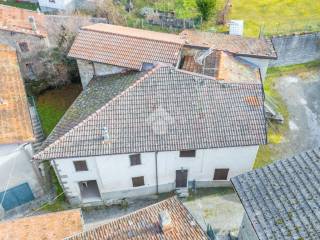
53 103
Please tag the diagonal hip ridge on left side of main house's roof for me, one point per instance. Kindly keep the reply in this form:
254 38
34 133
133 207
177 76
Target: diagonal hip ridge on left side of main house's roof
142 78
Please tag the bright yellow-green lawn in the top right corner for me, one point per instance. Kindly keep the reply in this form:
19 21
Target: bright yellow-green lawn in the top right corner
285 15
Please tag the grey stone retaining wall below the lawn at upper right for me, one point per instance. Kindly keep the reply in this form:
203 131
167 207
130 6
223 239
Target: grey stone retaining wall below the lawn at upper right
295 49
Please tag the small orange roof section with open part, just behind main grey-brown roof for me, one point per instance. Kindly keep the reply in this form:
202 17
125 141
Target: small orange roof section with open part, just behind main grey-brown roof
224 66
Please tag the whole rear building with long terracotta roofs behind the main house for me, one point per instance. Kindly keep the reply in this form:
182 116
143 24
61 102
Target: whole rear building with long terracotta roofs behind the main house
102 49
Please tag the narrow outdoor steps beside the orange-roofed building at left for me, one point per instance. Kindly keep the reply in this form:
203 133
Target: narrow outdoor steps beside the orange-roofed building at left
37 128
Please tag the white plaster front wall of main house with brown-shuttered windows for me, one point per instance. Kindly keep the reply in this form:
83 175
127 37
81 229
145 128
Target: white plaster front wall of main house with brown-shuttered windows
113 173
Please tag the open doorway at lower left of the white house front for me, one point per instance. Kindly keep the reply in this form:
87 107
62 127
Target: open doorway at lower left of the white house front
89 191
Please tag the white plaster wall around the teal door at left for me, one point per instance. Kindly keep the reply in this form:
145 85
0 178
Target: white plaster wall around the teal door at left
15 165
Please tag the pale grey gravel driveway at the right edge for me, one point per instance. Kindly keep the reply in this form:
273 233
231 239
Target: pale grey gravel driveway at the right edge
302 96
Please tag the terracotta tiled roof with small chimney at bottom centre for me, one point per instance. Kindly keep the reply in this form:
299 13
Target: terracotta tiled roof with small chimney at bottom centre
144 224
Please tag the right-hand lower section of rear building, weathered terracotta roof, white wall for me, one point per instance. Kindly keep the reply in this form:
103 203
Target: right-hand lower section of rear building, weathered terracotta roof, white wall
256 51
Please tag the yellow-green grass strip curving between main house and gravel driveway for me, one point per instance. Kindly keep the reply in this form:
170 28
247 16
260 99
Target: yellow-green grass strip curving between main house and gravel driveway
277 132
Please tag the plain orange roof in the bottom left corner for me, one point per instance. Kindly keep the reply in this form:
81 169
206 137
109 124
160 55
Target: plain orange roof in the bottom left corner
52 226
